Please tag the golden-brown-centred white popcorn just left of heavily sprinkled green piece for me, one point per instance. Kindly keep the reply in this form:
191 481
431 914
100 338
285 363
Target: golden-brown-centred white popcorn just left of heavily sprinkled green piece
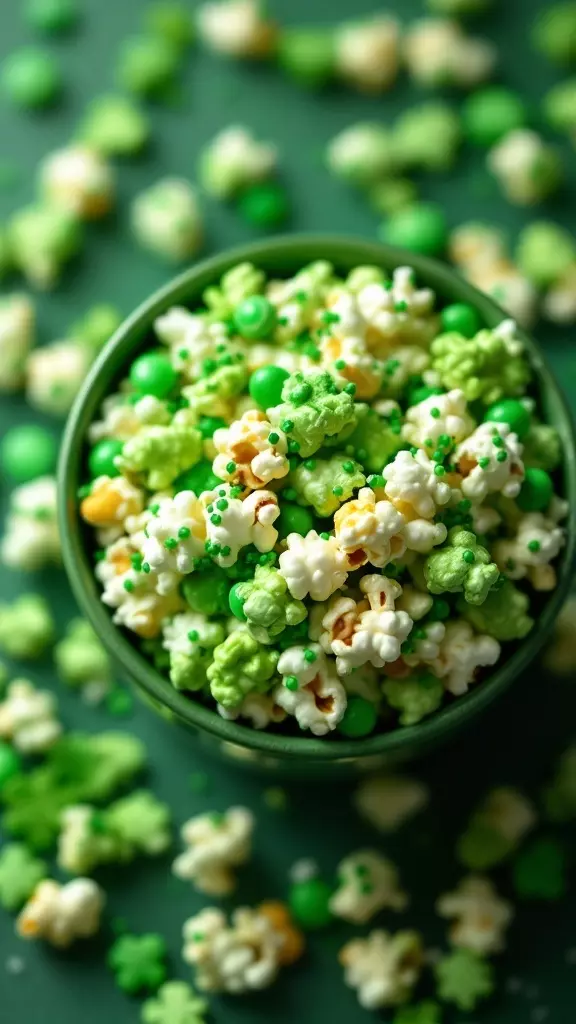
246 444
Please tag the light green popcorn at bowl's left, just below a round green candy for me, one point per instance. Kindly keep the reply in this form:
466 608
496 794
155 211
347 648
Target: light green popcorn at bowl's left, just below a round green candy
161 454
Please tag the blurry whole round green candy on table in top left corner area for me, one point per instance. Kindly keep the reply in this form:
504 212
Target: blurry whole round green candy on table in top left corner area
31 79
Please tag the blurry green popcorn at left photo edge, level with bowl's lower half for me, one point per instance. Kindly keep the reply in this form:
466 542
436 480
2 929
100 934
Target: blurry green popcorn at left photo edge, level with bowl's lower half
27 627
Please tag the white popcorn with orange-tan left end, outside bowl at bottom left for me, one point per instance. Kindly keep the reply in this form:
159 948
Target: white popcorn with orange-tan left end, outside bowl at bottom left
62 914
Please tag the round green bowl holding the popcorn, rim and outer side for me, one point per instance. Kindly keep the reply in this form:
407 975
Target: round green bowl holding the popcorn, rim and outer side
267 750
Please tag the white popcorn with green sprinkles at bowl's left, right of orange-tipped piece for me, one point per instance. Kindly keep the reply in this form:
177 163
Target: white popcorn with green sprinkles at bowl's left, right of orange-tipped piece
176 537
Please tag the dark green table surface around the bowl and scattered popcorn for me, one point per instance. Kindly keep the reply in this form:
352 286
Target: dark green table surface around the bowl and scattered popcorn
515 744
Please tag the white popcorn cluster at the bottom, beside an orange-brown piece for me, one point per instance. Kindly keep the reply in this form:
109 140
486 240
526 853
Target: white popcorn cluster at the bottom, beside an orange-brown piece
244 957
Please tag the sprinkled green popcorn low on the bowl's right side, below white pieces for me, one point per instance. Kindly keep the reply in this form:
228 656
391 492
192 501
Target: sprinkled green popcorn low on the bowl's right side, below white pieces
463 566
